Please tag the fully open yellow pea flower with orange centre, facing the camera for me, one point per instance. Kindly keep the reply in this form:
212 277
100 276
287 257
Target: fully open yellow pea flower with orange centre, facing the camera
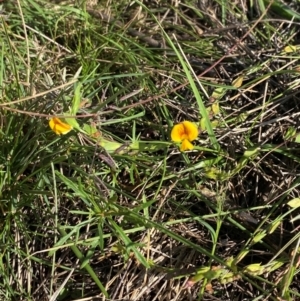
184 133
